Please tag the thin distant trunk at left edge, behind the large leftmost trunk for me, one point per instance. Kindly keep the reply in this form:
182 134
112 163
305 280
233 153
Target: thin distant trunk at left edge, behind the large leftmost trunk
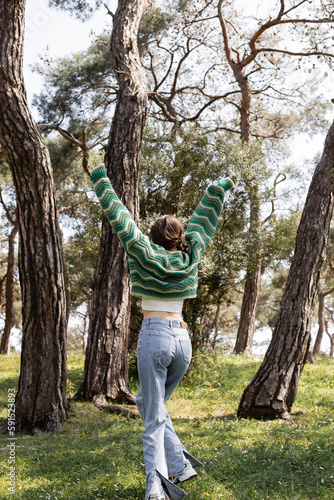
9 291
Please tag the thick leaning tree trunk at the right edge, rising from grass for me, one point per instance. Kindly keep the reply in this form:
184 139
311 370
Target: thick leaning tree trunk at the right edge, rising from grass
273 389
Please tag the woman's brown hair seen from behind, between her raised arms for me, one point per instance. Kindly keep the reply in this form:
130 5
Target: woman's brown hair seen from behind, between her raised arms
167 232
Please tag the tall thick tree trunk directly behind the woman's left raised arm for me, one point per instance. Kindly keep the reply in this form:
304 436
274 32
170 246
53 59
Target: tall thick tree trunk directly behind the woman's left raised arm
106 368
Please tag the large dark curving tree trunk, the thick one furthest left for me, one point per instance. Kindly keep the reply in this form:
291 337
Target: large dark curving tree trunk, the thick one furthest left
41 401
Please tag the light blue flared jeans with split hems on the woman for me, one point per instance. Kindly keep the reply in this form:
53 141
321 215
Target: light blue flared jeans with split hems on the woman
163 356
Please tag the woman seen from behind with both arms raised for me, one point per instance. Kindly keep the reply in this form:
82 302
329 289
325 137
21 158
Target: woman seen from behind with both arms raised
163 270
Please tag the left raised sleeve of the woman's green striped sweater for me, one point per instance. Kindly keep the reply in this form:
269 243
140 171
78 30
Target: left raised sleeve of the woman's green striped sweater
117 214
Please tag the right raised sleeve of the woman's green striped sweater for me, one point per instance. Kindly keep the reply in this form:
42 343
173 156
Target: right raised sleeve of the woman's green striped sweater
203 223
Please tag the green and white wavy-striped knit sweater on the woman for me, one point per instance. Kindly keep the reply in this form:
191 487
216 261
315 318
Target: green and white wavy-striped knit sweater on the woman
157 273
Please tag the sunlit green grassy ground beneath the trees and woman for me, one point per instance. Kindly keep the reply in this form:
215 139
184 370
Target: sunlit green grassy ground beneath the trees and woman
99 456
